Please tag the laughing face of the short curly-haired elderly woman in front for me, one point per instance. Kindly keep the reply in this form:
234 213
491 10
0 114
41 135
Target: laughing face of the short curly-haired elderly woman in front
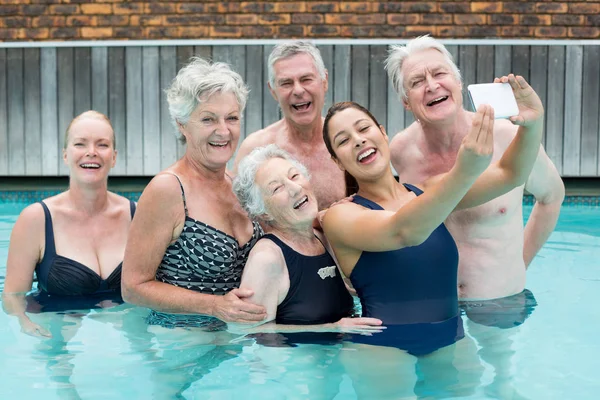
287 193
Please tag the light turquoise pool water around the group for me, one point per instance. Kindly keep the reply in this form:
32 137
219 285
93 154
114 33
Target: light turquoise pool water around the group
112 353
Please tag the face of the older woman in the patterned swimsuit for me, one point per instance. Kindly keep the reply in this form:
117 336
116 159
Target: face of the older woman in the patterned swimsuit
213 130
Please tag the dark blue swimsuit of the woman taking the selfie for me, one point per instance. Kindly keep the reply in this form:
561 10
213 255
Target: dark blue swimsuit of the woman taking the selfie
412 290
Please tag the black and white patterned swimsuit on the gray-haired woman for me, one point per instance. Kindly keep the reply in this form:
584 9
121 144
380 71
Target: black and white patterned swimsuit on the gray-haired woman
203 259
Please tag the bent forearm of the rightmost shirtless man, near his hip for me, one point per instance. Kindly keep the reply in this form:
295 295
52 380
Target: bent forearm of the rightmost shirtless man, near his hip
540 225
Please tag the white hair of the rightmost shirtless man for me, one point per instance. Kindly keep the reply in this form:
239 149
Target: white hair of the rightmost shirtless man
398 54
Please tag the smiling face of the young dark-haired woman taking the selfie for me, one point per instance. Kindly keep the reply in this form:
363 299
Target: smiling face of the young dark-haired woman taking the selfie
359 144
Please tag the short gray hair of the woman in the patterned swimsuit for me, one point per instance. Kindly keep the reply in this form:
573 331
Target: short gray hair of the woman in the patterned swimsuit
198 80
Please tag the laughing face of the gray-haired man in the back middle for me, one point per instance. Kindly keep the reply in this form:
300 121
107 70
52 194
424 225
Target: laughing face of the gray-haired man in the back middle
299 89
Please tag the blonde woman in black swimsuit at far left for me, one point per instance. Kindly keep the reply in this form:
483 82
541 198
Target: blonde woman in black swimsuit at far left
74 241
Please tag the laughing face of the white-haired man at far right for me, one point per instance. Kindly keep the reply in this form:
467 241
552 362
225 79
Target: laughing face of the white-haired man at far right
434 94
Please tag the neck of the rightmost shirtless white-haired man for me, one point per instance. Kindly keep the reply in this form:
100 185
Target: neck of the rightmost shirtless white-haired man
446 136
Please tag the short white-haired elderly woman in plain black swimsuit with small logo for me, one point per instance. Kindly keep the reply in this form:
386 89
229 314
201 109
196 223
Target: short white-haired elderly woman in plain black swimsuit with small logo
289 270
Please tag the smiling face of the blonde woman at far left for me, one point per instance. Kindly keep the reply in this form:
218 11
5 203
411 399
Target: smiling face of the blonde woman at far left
89 149
